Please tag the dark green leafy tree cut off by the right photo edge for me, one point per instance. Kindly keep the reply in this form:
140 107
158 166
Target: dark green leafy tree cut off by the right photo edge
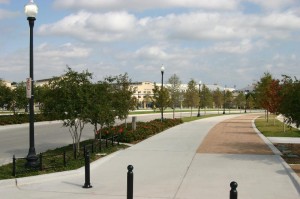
290 103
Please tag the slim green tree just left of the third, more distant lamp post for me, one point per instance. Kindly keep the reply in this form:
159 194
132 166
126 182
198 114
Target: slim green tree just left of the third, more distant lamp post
191 95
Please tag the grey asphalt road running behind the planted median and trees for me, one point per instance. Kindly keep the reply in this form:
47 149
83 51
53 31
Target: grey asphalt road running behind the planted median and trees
14 139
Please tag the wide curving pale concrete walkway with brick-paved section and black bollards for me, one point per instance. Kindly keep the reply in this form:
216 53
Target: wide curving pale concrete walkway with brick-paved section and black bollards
172 165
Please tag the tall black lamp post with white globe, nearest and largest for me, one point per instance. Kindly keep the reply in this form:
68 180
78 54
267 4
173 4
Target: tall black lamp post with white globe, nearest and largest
31 11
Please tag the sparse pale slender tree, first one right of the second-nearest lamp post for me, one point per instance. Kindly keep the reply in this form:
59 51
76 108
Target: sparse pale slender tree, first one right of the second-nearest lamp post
174 90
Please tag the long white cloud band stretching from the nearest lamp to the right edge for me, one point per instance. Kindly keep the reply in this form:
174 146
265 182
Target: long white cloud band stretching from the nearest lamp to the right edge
117 26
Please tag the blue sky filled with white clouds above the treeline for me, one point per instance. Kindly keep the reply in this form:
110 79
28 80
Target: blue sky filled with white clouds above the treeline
225 42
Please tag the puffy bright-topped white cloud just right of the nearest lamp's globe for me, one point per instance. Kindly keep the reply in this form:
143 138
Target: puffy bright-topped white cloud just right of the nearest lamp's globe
92 27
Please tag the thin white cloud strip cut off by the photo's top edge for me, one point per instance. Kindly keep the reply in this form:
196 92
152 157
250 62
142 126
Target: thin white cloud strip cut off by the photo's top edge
143 5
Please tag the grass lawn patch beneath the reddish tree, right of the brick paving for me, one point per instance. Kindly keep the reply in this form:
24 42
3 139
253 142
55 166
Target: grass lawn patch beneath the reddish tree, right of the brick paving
275 128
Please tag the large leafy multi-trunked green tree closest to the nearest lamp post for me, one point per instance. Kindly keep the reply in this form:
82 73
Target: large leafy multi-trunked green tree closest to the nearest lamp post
67 99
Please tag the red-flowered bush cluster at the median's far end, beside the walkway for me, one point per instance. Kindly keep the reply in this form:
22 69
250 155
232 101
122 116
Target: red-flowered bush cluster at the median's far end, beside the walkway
143 130
